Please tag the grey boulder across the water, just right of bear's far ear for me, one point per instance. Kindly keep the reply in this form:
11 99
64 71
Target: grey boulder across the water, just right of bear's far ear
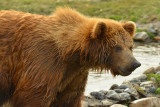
141 36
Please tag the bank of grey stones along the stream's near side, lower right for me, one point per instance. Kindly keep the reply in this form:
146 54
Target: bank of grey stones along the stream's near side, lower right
146 85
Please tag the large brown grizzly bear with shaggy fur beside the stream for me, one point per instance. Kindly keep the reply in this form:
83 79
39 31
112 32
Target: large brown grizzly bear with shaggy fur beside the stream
44 60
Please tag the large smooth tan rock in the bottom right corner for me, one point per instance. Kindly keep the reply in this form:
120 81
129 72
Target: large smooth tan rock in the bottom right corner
146 102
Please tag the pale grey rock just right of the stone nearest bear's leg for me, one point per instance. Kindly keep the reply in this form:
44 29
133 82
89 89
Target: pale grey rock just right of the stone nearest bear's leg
113 95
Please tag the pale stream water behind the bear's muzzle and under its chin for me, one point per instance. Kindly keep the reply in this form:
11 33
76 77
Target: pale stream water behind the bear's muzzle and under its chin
147 54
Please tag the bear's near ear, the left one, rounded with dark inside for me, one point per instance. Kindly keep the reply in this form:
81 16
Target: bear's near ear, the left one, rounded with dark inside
99 30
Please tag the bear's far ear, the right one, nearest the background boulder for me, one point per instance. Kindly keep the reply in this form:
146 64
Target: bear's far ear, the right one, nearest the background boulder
129 27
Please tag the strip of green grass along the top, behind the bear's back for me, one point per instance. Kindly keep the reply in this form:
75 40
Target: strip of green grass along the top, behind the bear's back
136 10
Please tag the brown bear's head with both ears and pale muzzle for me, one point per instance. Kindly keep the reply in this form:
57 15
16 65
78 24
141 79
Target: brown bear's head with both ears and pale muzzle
109 46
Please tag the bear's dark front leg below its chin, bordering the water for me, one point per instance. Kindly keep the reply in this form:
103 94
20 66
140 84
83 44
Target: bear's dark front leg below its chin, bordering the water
73 93
